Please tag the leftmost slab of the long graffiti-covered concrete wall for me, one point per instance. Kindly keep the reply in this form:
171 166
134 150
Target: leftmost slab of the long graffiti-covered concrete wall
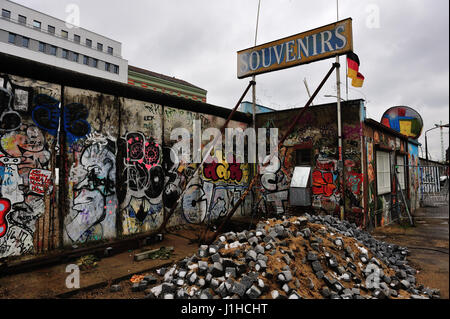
27 167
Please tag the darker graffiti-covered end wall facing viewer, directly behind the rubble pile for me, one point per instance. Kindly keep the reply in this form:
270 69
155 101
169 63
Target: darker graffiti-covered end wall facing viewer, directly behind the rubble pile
315 139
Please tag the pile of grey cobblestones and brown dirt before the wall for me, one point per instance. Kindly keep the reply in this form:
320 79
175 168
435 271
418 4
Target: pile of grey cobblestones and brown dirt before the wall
295 258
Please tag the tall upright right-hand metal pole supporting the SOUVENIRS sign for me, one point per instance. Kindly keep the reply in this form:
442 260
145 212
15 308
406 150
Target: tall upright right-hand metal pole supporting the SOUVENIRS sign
340 161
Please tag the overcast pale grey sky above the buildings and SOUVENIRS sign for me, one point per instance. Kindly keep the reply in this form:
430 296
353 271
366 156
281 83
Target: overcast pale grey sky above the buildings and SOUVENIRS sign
403 47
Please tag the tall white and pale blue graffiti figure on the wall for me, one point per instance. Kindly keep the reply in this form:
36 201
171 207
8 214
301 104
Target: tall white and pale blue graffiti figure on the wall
93 211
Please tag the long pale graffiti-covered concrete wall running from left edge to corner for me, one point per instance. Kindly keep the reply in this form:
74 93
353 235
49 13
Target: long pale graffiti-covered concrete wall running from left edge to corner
79 166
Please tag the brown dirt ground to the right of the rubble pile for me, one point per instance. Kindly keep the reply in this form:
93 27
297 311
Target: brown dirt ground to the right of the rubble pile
428 244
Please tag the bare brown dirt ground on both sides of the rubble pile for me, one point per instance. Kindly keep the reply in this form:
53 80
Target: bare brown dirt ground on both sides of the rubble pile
428 243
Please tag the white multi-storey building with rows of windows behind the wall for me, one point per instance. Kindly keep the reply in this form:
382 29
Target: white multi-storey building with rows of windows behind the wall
33 35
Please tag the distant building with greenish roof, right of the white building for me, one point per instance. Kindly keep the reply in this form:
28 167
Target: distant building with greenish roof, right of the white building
165 84
